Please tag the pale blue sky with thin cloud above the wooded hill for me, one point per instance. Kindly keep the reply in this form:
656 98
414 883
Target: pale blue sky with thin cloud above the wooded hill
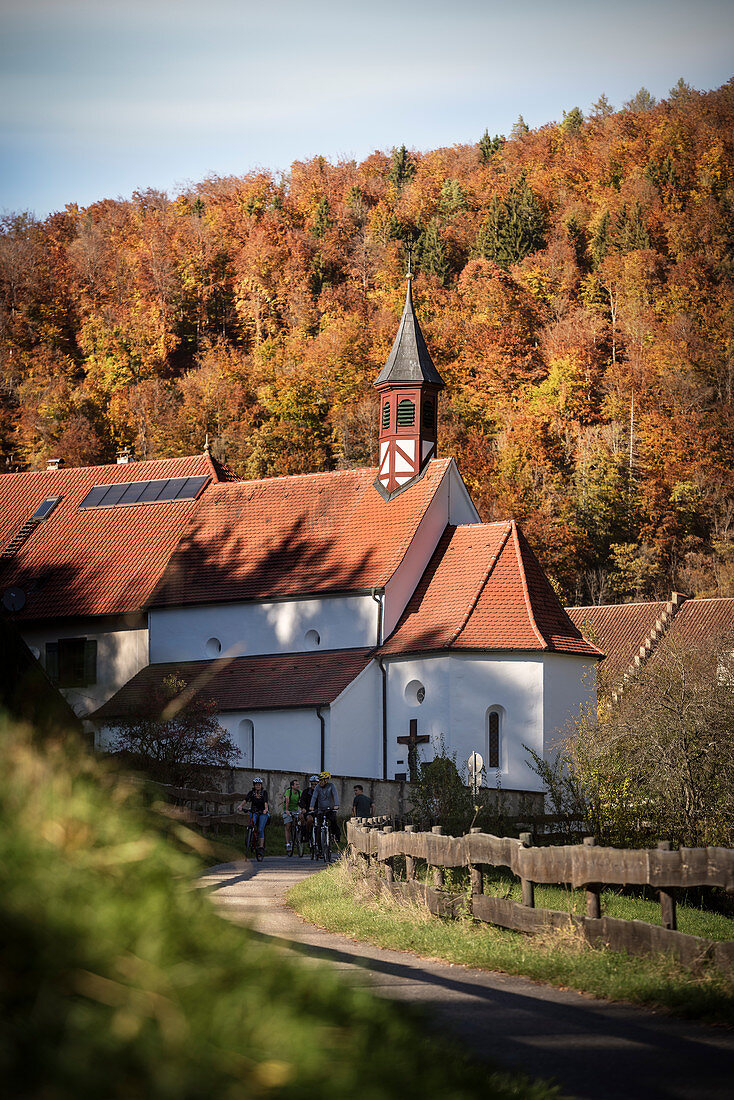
101 98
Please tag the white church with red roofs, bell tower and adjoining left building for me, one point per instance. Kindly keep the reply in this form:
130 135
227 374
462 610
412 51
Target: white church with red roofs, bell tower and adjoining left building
341 621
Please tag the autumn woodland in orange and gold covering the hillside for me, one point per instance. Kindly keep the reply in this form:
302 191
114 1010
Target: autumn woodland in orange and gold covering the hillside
575 285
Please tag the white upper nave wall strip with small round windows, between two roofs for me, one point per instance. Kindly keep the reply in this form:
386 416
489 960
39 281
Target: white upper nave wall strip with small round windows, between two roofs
284 626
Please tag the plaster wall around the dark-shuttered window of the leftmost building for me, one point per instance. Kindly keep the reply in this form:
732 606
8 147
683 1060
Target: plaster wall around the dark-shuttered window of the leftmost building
122 653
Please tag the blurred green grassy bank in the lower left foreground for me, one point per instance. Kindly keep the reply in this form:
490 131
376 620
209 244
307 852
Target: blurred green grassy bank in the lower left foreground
118 980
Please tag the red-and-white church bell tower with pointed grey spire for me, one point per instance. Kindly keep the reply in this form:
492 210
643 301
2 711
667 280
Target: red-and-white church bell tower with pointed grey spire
409 387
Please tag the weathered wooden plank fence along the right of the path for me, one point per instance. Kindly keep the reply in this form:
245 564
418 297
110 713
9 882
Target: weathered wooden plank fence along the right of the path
584 866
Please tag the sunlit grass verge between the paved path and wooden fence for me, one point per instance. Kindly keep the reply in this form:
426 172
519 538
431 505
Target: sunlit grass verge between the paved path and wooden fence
343 901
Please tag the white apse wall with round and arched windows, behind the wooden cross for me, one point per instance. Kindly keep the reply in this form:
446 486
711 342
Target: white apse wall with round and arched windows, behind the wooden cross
459 691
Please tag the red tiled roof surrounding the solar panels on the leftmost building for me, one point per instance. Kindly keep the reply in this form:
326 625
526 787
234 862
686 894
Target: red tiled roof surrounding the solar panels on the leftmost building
97 562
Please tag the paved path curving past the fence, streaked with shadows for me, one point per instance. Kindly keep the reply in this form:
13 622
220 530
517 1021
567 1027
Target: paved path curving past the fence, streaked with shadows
594 1050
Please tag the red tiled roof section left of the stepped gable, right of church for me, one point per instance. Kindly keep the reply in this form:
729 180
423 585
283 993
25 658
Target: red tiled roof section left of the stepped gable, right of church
620 631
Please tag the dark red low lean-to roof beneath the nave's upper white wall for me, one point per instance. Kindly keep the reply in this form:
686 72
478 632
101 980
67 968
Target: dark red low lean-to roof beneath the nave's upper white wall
249 684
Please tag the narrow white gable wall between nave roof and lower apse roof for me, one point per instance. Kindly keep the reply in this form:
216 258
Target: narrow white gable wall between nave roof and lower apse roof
452 504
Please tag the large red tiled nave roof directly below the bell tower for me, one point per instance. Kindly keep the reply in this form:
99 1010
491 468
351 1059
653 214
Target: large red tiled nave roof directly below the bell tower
295 536
